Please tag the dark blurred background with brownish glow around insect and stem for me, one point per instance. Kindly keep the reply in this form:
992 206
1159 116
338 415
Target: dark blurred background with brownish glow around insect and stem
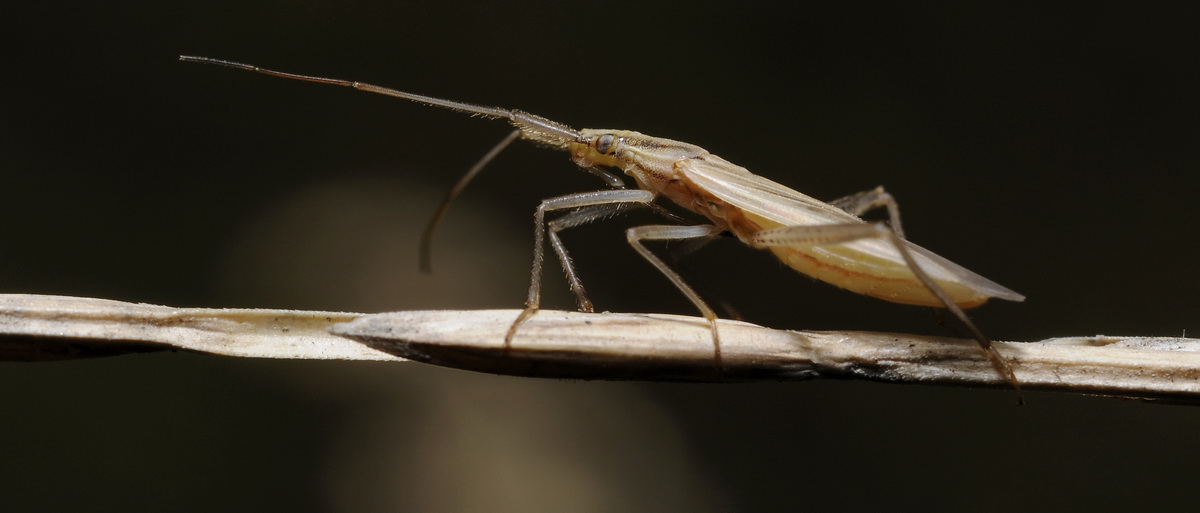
1051 149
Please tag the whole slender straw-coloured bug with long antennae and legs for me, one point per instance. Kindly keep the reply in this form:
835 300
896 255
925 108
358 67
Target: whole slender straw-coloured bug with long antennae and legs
827 242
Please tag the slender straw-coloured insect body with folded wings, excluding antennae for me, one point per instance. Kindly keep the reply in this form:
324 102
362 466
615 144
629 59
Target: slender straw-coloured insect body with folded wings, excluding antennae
818 239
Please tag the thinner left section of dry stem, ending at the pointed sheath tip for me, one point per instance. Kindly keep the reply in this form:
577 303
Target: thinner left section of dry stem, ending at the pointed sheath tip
57 328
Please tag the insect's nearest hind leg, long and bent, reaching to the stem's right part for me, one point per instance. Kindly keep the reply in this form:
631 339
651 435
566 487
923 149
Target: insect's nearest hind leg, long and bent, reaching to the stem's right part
836 234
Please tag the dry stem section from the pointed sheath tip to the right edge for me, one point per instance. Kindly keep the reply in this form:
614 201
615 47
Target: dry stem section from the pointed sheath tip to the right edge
673 348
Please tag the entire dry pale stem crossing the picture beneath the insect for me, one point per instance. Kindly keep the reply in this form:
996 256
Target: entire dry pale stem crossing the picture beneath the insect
614 347
